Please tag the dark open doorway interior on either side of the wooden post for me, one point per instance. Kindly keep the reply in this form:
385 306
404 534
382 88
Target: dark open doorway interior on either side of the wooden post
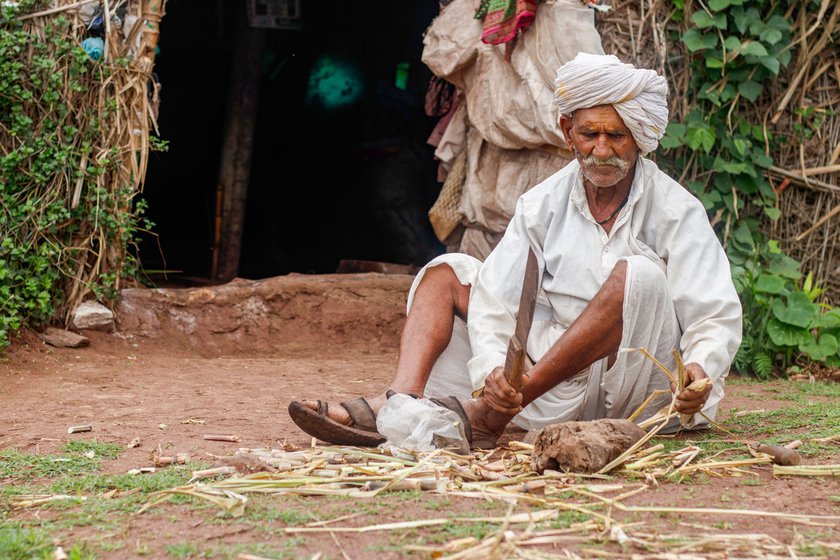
340 167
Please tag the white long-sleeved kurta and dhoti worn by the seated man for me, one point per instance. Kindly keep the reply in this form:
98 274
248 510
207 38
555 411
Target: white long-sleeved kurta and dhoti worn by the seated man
662 223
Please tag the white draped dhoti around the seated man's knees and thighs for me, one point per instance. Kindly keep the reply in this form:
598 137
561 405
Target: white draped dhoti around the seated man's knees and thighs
649 321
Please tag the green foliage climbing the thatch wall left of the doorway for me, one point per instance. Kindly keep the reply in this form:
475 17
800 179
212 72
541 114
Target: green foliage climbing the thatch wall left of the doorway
61 201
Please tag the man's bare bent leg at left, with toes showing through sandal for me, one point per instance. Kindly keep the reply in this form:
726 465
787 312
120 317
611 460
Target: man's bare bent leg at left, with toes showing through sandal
438 299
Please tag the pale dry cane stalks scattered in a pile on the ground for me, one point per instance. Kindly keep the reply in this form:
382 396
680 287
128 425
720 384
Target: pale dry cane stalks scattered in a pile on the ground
535 499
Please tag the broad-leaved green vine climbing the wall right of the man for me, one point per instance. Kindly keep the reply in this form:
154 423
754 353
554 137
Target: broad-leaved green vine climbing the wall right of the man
736 47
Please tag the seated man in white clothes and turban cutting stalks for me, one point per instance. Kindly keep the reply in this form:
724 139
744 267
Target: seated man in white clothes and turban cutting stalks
627 259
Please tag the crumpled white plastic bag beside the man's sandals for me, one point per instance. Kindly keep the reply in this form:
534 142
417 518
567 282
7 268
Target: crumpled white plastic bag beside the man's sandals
420 425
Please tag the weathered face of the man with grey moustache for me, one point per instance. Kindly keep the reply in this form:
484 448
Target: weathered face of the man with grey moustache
603 145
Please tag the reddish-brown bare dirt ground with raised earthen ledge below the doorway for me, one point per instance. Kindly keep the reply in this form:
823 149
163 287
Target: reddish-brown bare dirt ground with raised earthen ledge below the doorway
228 360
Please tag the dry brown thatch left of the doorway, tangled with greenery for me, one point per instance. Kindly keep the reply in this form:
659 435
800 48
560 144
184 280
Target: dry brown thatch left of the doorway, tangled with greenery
105 112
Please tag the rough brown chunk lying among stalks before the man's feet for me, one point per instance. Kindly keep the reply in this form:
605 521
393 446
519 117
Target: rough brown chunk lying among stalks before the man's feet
583 446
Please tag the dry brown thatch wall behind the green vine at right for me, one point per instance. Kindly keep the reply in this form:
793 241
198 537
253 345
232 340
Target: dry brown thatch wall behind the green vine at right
805 95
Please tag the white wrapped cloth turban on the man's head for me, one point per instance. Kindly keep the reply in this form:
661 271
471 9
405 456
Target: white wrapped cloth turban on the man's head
639 95
